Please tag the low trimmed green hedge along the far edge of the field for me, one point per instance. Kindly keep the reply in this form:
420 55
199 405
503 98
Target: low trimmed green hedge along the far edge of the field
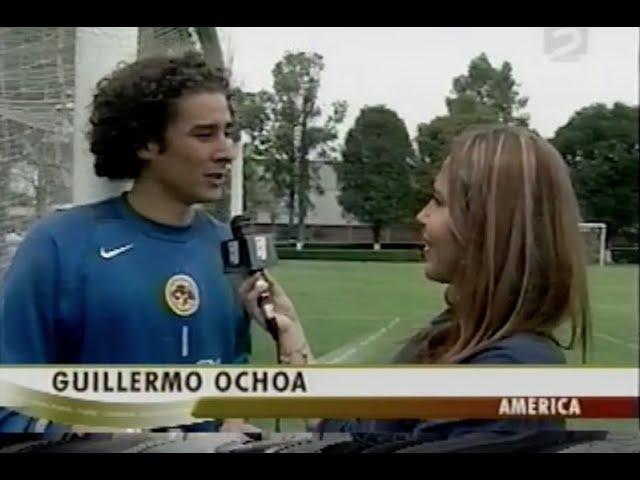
368 255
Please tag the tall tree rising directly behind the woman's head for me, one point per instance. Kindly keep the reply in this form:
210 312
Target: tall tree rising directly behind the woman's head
485 94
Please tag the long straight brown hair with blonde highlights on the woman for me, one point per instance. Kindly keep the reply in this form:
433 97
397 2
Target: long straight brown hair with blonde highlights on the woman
515 213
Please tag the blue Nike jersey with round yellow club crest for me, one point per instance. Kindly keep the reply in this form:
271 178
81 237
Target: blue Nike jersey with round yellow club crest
100 284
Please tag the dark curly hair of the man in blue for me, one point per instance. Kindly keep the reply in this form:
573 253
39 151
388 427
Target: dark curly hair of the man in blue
134 105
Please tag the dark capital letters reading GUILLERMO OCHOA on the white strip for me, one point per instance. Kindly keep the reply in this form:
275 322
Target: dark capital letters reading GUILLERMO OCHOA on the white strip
178 381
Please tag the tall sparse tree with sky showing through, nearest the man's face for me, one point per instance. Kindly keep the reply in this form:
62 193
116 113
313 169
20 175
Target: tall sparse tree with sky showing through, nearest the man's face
296 132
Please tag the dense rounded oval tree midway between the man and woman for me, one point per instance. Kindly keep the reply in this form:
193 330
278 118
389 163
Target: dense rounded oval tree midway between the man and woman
374 176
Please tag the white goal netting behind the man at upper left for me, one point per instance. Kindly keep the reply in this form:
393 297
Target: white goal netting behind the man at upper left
37 73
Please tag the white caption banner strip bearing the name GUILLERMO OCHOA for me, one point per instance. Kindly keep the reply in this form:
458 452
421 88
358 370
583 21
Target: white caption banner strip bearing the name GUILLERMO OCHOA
144 385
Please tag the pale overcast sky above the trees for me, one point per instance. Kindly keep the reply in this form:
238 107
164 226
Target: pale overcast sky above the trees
410 69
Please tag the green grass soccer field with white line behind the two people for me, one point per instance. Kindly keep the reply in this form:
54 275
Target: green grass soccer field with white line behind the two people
360 312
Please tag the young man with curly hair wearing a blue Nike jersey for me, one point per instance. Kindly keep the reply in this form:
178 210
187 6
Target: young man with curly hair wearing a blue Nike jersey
138 278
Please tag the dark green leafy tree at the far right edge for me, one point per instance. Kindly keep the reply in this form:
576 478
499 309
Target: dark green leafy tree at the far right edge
600 145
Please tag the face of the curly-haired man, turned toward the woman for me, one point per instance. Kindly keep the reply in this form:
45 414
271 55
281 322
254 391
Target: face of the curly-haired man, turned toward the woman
193 168
